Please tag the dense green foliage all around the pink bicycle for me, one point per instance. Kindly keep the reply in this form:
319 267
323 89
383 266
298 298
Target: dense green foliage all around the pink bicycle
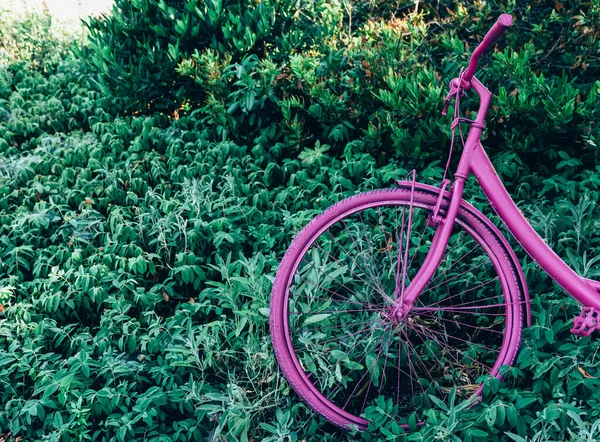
152 176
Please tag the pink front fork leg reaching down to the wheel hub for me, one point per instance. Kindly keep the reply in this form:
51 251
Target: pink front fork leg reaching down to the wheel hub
404 300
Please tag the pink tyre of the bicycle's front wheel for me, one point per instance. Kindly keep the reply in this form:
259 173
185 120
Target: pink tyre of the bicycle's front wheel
282 342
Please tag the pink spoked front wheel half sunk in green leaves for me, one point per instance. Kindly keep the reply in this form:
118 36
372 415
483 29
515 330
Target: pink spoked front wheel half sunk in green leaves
333 333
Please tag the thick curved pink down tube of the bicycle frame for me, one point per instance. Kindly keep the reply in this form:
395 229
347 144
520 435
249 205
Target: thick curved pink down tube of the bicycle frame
533 244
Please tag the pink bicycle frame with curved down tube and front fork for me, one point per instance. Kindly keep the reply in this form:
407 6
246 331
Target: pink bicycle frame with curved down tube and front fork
475 161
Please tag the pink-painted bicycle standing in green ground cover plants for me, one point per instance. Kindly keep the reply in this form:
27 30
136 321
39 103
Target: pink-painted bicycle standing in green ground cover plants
410 291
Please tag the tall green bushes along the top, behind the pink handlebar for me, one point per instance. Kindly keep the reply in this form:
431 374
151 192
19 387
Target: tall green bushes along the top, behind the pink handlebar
375 90
